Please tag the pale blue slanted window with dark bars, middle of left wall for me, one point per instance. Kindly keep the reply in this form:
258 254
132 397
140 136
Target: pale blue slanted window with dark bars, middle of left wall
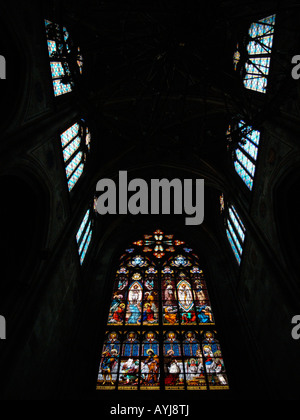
76 143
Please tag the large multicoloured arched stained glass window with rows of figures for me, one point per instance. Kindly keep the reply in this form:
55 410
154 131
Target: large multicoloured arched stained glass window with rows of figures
161 332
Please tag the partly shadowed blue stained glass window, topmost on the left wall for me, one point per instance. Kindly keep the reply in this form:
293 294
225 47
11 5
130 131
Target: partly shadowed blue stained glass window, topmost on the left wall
62 56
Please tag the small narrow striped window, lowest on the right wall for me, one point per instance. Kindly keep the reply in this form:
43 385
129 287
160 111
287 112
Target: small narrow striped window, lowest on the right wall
236 233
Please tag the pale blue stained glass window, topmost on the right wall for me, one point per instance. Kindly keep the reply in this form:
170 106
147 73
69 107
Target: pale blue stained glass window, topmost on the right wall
259 50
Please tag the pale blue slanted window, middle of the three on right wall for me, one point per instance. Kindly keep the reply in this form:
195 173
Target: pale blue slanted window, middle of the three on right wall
246 152
